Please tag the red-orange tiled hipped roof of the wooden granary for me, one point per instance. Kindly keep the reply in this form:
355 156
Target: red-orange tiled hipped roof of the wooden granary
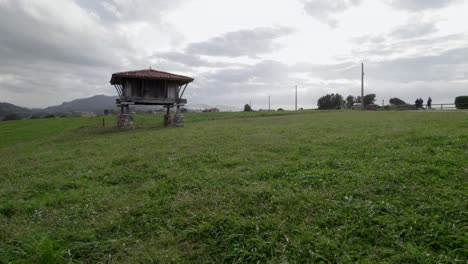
149 74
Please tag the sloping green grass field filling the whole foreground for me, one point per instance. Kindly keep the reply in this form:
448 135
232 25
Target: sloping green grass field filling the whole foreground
285 187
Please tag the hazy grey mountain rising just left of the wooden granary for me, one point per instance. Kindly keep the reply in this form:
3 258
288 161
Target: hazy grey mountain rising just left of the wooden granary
96 104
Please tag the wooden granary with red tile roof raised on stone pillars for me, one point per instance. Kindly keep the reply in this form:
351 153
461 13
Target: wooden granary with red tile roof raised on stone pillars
150 87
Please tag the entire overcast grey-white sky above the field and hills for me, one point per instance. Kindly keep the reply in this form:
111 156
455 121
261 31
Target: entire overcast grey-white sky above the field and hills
237 50
